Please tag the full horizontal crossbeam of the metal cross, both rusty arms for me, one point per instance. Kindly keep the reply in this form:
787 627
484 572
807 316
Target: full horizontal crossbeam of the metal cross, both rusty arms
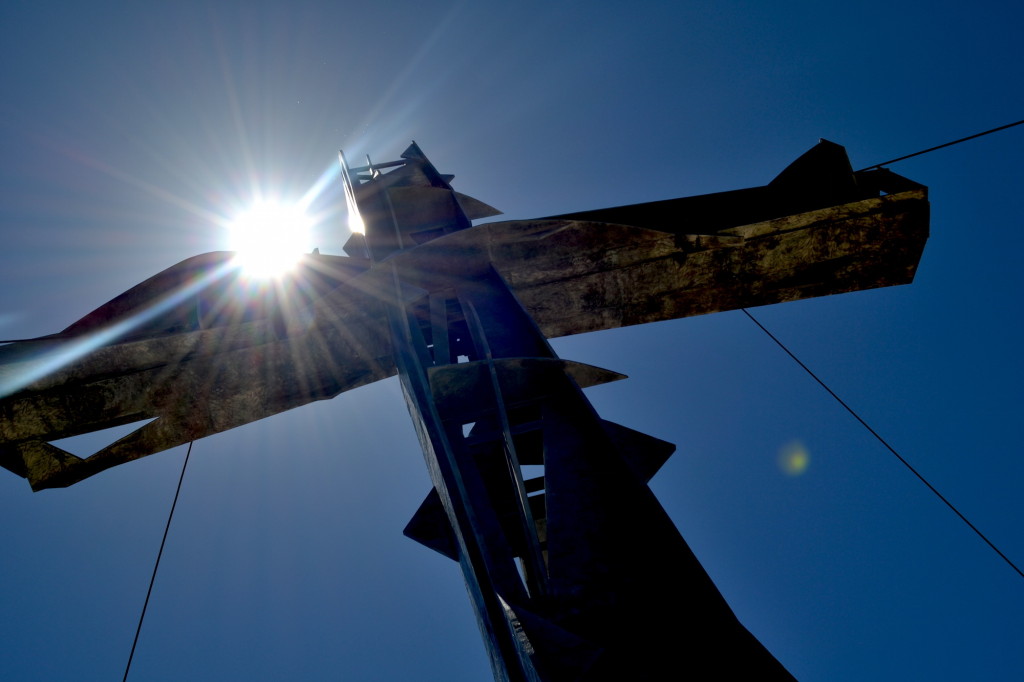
201 362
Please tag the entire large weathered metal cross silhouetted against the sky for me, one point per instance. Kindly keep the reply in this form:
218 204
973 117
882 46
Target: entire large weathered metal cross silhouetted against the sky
574 569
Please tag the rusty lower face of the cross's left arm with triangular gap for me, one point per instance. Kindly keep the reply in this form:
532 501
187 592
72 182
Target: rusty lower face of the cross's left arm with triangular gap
195 383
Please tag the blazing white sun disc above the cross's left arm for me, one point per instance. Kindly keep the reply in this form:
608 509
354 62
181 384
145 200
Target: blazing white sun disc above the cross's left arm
270 238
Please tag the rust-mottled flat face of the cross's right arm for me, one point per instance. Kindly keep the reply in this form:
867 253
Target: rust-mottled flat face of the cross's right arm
577 277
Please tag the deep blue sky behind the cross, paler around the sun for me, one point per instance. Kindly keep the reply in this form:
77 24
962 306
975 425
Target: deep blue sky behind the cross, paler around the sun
129 133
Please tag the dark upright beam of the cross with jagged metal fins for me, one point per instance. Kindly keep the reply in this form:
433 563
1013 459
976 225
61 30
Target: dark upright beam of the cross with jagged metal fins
575 570
